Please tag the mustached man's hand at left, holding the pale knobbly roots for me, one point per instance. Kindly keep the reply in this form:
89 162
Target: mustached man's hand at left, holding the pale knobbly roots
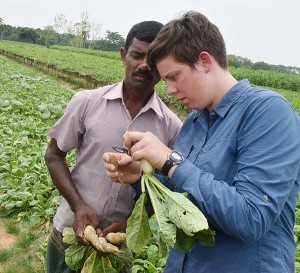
83 216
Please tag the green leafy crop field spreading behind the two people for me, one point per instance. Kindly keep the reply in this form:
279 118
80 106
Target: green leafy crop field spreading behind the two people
30 103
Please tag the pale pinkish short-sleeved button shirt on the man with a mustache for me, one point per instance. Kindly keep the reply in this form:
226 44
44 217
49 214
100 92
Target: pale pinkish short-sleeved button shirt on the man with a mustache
93 122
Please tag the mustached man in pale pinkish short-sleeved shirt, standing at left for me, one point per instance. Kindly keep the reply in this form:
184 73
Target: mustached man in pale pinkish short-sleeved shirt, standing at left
92 123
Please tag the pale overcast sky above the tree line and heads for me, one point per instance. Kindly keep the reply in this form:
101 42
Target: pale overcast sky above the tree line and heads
260 30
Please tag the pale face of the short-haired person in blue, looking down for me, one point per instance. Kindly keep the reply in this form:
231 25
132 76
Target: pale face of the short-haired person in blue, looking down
186 83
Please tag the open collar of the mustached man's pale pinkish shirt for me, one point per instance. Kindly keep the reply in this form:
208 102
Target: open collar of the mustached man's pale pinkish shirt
153 103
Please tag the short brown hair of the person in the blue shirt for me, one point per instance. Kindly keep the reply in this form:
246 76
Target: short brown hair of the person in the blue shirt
185 38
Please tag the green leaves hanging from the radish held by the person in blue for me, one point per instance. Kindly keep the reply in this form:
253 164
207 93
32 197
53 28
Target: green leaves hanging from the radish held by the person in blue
176 216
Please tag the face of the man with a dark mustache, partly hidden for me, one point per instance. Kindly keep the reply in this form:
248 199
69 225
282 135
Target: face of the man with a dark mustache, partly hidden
138 74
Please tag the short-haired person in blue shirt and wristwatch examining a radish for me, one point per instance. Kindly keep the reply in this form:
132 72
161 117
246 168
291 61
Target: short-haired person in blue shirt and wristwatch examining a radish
237 155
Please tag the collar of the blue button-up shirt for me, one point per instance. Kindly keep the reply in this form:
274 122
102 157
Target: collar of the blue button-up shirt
229 99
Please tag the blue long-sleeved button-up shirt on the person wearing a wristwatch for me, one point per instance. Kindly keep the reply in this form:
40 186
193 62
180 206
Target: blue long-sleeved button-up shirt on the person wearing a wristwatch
242 171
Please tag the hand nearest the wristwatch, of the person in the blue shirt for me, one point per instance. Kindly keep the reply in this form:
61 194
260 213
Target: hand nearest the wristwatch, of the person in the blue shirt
146 146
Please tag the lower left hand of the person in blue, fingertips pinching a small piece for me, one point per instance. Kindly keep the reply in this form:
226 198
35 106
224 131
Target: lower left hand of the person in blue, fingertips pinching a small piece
127 171
